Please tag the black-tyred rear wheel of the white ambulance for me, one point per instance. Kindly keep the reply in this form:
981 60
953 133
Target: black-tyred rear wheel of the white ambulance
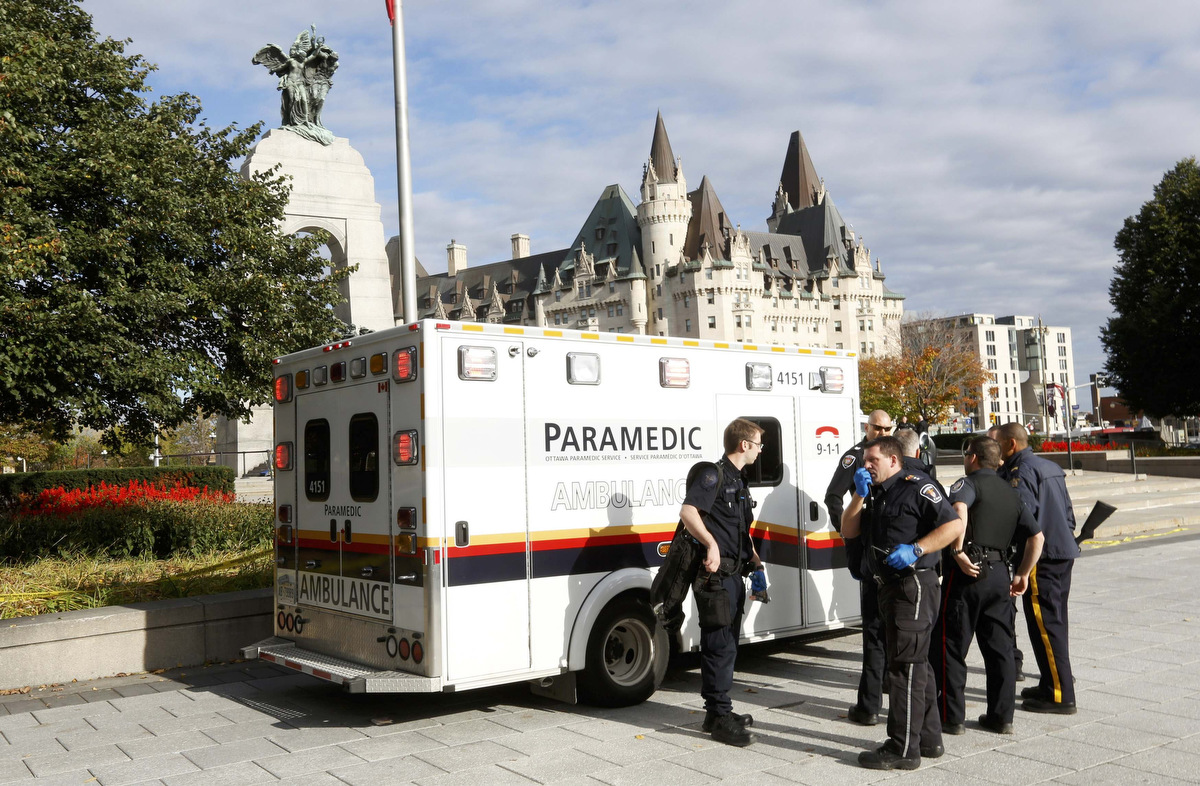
627 656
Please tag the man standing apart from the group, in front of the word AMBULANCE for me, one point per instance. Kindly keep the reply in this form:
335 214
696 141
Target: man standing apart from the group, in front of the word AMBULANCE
718 512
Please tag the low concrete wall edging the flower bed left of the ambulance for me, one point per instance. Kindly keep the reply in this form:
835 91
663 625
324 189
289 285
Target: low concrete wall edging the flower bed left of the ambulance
101 643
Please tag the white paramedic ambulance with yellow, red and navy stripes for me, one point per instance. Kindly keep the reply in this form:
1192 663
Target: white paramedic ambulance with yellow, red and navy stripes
463 505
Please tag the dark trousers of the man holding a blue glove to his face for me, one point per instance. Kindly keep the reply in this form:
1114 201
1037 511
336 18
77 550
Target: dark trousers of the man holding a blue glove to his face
909 608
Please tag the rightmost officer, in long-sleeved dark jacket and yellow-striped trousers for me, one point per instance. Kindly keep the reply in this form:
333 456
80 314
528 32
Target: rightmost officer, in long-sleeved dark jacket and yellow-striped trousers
1043 489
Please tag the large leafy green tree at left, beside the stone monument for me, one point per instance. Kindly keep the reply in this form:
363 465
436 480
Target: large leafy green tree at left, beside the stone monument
142 280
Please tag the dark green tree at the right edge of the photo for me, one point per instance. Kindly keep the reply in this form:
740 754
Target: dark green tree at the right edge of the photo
1154 341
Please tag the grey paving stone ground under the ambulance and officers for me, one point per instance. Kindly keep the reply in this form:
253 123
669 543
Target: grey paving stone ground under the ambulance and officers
1135 651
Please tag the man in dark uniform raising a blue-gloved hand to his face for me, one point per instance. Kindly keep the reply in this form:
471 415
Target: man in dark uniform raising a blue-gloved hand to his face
903 521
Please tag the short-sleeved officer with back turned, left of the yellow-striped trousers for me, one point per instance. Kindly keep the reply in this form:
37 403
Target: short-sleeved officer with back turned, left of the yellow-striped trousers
977 591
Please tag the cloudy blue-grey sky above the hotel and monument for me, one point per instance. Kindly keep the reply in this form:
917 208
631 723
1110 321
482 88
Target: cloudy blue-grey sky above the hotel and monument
988 153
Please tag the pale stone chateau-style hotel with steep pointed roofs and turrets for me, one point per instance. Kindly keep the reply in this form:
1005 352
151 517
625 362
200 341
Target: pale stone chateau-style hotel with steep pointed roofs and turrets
676 265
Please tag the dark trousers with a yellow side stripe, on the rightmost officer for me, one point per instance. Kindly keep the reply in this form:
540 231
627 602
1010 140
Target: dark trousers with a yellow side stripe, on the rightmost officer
1046 615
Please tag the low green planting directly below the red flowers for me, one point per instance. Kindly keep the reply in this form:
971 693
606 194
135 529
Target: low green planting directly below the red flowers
158 530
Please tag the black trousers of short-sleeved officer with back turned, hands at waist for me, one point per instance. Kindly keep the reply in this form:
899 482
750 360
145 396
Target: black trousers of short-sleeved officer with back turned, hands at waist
979 608
